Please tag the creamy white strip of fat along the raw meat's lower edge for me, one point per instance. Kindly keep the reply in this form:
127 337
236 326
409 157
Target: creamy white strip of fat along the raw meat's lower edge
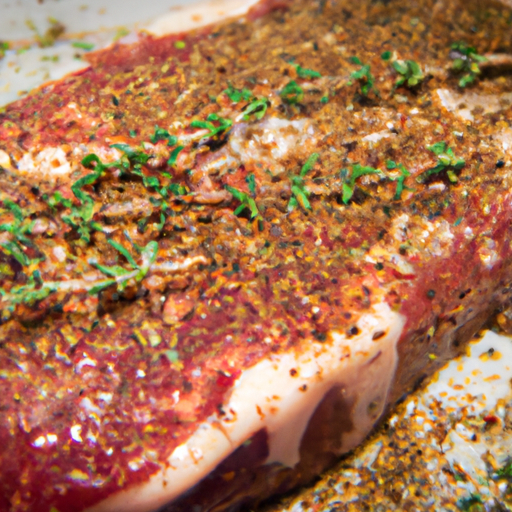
268 396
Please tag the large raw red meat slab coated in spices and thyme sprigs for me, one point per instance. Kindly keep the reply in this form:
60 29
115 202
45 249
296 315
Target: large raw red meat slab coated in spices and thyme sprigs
225 254
